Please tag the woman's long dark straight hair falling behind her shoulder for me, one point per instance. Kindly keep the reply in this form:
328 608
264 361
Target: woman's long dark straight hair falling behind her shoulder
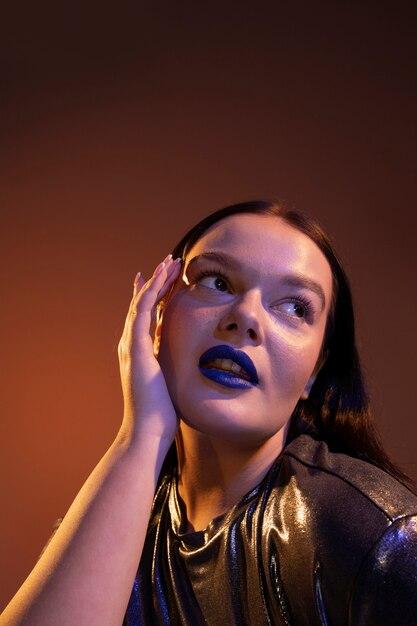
337 410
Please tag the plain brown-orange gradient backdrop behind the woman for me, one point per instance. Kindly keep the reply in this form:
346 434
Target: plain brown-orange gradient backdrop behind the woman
120 127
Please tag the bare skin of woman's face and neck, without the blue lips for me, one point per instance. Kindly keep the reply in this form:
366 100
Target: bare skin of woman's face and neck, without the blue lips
270 301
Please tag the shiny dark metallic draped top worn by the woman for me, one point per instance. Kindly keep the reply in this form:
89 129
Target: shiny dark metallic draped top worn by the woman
324 540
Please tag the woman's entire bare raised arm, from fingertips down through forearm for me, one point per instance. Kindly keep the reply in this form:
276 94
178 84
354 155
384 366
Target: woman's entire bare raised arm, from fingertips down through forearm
70 583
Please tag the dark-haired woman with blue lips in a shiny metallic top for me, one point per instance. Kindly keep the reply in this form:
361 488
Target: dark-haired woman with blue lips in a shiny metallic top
277 504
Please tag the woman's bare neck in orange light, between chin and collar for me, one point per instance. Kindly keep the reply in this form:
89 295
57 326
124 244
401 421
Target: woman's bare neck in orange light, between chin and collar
215 474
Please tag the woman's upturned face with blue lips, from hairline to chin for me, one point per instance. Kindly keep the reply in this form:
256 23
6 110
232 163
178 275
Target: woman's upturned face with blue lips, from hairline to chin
252 286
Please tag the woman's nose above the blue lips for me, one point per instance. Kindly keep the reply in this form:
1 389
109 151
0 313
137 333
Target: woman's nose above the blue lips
241 321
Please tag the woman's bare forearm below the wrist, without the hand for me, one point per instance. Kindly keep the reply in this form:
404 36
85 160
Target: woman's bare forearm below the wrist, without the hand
86 573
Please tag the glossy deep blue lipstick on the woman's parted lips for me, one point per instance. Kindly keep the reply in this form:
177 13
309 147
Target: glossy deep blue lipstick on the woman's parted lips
229 378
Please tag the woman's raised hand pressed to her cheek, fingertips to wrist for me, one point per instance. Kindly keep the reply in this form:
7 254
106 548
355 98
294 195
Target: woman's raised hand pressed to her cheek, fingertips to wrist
147 404
